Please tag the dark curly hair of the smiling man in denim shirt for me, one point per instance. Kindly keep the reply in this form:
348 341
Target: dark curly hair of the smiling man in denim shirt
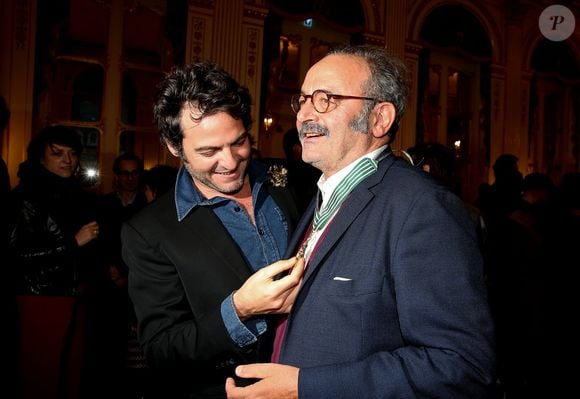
204 86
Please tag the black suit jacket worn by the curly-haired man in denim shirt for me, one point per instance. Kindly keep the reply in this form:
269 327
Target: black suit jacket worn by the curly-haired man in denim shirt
179 274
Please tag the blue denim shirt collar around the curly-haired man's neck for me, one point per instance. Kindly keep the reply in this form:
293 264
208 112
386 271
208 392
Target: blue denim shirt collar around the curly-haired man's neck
187 196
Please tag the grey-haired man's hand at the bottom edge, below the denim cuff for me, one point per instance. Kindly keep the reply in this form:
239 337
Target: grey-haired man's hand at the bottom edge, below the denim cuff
277 381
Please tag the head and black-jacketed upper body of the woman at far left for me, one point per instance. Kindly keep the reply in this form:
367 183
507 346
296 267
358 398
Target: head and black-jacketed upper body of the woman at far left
54 217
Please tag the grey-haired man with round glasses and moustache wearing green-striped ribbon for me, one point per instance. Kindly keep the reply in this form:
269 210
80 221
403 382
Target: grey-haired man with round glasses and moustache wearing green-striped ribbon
393 301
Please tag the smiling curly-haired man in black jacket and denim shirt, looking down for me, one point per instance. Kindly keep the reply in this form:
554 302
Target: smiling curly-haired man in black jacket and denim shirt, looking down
191 252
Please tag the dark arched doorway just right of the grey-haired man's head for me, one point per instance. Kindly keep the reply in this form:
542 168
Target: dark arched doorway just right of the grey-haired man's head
454 91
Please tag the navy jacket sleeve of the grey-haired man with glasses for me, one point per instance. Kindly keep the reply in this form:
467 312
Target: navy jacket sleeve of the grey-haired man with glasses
446 335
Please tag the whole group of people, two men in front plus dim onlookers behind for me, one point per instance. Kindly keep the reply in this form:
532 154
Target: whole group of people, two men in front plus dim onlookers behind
340 271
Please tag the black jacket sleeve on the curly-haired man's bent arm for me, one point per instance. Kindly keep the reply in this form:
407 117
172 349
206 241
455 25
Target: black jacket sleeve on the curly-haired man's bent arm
170 331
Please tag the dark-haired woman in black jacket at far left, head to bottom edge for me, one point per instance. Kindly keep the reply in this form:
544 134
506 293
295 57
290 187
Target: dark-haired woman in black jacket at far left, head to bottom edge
53 263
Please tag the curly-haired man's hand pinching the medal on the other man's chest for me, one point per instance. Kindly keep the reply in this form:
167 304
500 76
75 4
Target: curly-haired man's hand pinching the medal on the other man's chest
263 294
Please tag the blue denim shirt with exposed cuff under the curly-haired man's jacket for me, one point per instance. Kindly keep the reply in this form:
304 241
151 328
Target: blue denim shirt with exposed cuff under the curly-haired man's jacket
260 245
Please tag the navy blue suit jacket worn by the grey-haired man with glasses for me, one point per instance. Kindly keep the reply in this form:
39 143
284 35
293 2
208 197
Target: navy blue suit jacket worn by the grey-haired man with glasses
393 303
